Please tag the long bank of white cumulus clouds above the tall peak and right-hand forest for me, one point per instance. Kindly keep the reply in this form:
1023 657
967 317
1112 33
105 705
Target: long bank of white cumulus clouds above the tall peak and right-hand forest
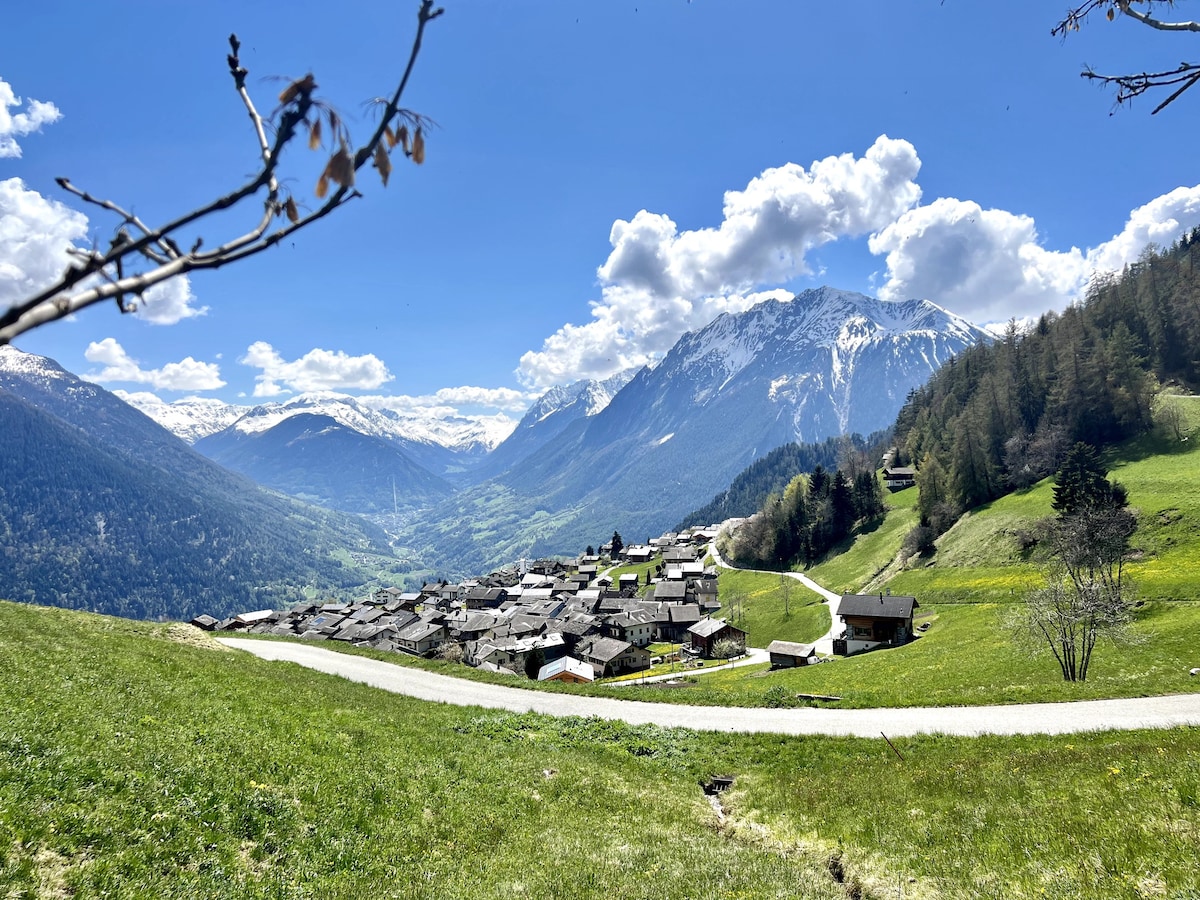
985 265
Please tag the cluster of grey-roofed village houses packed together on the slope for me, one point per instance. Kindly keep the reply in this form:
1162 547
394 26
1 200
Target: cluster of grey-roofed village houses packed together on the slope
575 623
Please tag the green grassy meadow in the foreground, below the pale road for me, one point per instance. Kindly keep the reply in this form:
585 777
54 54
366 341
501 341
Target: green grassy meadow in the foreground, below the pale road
141 760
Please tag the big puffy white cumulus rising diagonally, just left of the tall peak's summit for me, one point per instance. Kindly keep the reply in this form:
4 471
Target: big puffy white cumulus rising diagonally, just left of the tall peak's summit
659 283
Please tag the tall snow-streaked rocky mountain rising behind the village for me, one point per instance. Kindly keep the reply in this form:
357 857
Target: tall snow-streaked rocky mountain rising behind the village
825 363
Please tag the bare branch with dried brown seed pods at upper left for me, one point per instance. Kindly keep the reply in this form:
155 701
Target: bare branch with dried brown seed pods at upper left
141 256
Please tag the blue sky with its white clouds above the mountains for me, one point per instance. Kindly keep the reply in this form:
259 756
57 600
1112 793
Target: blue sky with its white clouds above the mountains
604 177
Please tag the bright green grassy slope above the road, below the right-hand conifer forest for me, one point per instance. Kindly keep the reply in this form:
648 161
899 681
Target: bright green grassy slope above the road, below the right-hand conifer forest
970 590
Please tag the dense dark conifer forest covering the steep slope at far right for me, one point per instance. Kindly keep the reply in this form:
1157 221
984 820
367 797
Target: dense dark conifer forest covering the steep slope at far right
1003 417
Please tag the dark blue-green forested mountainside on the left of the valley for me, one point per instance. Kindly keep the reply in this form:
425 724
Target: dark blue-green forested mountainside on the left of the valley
103 509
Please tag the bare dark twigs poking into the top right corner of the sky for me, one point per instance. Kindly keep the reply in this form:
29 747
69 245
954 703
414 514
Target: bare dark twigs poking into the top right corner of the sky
1133 85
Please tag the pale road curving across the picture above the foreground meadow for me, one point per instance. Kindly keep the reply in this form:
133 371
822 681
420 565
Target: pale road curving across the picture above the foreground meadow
1031 719
